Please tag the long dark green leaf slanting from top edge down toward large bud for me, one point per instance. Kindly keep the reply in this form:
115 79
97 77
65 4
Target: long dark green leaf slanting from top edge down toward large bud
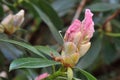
49 16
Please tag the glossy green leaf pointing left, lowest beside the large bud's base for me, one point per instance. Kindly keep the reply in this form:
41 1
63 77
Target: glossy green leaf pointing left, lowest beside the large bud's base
31 63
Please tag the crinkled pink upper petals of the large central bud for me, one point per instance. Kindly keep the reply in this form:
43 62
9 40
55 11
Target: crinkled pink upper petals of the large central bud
79 31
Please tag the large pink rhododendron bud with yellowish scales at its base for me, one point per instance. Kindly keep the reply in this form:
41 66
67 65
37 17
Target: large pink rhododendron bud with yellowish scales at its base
77 40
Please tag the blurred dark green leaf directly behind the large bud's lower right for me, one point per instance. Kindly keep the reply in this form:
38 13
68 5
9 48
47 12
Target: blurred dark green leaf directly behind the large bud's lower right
91 55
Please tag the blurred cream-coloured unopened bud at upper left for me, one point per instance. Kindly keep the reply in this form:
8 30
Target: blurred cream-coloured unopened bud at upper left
11 23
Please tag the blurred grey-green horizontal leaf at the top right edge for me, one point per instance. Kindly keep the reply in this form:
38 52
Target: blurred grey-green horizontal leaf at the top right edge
102 7
